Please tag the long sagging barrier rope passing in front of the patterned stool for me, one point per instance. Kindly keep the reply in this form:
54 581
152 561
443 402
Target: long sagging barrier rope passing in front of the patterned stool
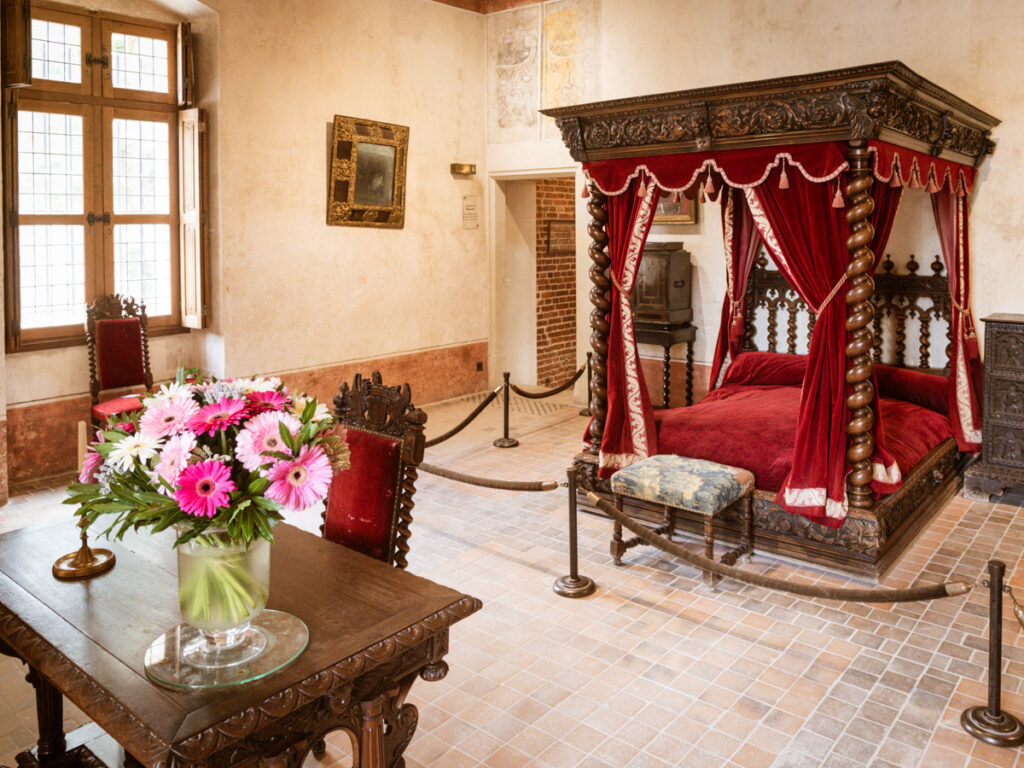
924 592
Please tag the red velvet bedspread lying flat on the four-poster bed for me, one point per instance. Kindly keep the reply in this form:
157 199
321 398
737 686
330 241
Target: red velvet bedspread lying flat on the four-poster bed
753 428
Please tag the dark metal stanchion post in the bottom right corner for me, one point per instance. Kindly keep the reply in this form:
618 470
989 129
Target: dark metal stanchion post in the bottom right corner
990 723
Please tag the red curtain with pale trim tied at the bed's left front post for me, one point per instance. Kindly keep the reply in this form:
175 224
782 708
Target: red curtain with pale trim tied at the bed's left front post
629 428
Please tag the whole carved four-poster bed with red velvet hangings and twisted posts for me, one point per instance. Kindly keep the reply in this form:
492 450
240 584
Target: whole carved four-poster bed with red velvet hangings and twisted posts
812 170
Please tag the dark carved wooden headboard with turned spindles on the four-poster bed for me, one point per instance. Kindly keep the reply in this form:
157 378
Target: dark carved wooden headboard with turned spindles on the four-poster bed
921 300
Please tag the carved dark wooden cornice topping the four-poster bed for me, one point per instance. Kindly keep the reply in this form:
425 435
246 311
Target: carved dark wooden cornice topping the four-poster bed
885 102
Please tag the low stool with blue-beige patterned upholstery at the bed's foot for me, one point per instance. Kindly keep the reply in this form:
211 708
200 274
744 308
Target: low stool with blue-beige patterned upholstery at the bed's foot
697 486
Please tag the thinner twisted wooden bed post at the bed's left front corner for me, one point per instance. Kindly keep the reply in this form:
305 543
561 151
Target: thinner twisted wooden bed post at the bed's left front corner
601 297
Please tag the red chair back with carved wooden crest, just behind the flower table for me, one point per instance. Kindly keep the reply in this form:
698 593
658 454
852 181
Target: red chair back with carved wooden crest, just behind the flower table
370 505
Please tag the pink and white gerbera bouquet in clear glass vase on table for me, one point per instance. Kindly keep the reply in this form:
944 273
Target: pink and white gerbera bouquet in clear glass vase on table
220 462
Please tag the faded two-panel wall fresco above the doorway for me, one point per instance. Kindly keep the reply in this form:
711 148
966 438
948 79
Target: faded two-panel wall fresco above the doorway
542 56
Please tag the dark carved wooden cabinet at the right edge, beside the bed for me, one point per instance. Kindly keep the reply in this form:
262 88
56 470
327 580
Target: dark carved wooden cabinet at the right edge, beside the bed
1002 464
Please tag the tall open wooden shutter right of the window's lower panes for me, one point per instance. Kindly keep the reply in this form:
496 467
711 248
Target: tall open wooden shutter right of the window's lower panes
193 217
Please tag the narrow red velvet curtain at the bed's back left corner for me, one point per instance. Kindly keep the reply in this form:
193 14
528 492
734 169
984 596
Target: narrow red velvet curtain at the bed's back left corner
742 245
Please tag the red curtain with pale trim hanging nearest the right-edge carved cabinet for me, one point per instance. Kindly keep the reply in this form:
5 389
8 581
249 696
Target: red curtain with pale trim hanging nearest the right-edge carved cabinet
965 365
